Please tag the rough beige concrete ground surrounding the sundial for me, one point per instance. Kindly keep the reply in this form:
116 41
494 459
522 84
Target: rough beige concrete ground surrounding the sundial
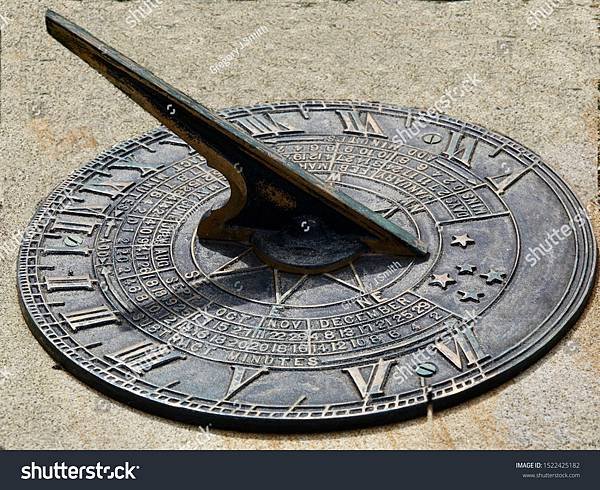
539 85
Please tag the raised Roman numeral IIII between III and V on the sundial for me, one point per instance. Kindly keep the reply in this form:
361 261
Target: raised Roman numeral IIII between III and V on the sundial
141 358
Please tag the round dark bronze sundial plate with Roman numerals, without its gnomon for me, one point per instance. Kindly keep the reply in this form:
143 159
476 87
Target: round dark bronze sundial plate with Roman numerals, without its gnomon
117 287
